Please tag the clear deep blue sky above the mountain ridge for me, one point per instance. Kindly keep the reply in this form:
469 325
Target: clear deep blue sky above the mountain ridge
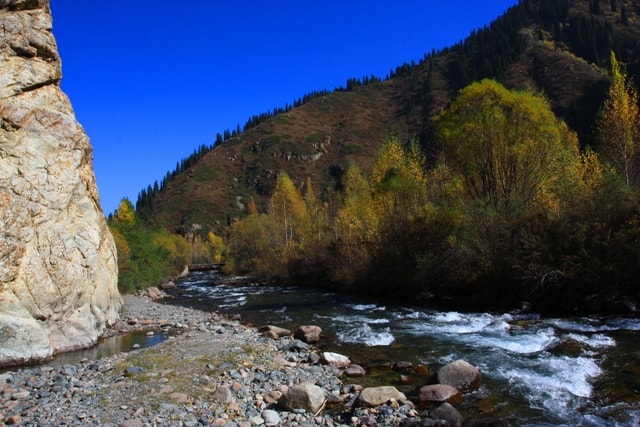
152 81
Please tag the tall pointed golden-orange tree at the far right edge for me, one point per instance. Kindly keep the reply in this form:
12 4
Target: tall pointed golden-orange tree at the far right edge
618 125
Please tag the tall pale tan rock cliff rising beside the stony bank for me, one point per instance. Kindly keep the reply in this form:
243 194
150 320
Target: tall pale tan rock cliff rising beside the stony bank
58 269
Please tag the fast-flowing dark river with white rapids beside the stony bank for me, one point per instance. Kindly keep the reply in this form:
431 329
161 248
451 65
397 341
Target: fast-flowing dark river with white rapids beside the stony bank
535 370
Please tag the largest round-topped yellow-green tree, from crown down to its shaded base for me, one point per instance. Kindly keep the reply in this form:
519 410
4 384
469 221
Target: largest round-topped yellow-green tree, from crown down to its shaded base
511 156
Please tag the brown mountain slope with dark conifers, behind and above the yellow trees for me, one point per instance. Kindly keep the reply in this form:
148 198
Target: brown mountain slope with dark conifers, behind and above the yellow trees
559 48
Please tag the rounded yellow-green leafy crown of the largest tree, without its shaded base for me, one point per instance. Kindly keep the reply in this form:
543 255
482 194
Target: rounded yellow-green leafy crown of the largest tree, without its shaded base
507 146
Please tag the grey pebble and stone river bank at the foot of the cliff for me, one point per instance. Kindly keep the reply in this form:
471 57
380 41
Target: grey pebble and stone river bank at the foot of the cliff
211 371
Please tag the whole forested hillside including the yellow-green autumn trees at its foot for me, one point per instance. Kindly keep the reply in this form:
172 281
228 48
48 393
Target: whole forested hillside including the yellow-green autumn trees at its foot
377 184
